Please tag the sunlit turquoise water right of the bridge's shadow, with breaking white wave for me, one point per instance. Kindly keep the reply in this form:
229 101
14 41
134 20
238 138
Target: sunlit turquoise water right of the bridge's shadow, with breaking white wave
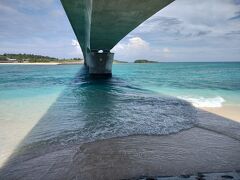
203 84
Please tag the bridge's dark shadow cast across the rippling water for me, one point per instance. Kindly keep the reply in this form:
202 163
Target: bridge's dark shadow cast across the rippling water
93 109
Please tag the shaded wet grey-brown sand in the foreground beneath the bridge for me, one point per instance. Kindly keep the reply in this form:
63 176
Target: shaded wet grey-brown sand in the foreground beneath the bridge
213 145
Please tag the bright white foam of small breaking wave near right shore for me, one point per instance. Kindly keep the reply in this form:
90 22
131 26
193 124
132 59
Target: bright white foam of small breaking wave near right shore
215 102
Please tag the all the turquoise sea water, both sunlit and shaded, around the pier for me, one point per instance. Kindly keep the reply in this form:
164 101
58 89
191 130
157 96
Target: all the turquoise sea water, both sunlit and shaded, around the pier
50 104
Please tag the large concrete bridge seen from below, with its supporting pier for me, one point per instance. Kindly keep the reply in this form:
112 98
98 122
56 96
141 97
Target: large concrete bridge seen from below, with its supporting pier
100 24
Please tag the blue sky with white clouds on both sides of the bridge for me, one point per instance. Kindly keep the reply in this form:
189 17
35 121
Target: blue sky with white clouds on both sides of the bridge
186 30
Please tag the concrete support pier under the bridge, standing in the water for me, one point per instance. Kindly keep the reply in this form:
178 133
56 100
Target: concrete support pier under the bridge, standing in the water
100 64
